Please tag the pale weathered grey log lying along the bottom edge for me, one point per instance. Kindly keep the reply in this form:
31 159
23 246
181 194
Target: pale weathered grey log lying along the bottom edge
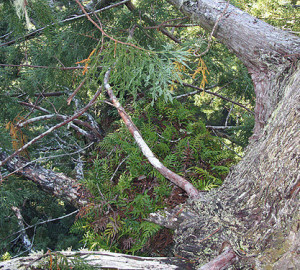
98 260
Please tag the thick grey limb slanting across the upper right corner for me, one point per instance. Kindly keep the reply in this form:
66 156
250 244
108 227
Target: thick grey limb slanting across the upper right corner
251 39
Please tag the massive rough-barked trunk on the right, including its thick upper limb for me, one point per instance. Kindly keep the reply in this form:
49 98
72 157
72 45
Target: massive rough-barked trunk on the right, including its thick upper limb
256 210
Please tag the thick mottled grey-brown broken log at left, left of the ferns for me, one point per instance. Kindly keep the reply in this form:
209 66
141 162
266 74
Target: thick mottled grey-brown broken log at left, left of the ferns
61 186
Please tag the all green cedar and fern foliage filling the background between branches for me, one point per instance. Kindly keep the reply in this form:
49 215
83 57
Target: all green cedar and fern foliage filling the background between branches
126 188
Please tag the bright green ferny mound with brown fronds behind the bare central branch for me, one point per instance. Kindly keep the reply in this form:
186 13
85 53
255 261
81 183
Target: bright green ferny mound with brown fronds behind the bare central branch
128 188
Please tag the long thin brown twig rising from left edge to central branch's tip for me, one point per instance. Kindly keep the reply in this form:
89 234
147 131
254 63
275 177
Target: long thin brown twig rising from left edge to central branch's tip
76 115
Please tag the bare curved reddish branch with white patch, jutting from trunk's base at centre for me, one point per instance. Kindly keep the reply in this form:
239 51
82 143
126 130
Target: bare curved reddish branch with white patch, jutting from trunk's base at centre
173 177
